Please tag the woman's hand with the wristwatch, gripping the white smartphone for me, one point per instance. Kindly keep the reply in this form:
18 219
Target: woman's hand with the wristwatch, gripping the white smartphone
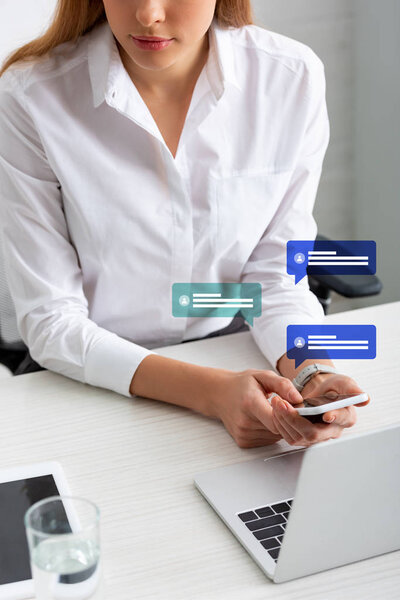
298 431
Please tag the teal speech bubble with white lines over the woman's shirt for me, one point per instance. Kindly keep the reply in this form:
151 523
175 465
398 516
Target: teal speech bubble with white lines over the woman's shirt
216 300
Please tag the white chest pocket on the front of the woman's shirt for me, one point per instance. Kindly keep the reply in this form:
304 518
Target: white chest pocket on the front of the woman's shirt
245 206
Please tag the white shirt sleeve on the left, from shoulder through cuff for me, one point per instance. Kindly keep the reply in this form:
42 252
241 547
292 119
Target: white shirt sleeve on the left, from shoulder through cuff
42 266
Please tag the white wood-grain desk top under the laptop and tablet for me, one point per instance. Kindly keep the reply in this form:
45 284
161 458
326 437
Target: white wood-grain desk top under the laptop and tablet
136 459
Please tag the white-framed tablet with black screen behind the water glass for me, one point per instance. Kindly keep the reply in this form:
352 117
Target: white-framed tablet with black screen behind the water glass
20 487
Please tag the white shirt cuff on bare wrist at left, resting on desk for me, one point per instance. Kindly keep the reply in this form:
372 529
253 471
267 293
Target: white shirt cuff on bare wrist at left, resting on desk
112 362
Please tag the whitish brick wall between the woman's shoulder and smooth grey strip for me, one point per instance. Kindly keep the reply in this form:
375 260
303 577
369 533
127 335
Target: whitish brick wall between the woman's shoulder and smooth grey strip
327 26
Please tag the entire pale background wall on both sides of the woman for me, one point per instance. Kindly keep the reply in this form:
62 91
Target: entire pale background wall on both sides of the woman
358 196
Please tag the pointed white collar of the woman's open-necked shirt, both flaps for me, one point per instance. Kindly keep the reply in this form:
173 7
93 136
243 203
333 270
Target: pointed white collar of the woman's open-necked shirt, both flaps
105 63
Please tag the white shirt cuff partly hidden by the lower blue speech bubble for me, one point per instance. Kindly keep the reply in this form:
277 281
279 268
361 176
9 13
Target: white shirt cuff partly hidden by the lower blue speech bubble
271 337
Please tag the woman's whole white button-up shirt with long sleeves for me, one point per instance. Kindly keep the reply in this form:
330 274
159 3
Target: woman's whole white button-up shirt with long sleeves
98 219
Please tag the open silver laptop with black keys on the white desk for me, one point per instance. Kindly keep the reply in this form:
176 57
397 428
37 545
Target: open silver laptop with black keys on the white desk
309 510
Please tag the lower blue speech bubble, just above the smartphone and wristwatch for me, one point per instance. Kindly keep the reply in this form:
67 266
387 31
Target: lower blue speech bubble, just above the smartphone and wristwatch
330 341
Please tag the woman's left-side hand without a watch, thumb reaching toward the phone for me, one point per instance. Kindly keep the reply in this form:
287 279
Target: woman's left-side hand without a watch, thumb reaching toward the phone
241 404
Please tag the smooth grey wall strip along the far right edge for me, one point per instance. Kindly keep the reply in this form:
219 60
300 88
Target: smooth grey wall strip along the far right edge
377 136
